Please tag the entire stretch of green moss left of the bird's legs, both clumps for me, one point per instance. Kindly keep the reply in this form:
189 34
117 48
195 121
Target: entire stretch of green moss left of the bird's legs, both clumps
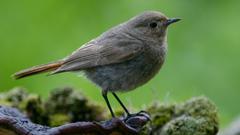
72 105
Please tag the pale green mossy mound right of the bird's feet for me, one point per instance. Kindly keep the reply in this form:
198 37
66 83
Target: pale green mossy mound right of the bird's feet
196 116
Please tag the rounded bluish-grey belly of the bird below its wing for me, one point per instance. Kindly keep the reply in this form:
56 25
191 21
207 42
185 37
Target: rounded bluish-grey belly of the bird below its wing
124 76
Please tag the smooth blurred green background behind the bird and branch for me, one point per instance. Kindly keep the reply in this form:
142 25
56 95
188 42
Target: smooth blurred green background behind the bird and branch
203 58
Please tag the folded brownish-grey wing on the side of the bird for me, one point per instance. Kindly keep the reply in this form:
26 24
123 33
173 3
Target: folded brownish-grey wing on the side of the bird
101 53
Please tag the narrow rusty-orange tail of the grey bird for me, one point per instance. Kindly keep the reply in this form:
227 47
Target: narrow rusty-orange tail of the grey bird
37 69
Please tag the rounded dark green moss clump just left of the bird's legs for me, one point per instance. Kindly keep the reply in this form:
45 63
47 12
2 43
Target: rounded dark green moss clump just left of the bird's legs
74 104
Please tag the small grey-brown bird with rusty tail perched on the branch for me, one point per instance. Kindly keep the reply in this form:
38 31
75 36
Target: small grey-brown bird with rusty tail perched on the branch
119 60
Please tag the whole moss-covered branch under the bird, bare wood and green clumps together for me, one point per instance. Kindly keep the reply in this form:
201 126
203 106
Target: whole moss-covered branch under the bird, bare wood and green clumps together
69 112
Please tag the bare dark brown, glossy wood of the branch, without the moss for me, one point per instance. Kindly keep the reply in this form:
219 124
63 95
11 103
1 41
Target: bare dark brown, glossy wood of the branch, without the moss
12 120
